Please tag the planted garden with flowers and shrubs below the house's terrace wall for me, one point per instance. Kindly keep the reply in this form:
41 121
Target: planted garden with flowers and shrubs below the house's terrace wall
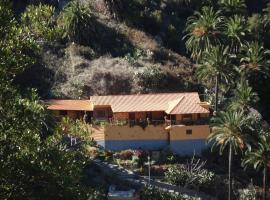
206 174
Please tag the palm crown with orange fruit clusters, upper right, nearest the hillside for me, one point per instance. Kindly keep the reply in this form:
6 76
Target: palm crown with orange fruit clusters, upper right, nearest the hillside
203 30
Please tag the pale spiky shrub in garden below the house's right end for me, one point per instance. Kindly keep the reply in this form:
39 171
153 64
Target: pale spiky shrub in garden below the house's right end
191 174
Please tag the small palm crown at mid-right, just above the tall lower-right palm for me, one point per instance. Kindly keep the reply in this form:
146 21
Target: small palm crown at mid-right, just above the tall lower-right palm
244 98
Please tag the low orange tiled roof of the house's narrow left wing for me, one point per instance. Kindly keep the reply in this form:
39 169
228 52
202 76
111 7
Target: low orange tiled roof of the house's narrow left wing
83 105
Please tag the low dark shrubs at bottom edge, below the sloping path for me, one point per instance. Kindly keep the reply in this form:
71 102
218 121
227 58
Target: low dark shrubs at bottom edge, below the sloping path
154 194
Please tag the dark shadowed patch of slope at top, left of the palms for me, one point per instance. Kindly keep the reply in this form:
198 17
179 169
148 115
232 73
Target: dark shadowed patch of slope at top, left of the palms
163 20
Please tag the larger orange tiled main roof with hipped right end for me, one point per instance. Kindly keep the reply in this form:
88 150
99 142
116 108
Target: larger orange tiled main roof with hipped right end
171 103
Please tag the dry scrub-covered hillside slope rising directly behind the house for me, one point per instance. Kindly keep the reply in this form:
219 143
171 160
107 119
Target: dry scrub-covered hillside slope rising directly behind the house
120 58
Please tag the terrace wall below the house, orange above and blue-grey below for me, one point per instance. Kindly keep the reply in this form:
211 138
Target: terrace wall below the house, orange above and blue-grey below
155 138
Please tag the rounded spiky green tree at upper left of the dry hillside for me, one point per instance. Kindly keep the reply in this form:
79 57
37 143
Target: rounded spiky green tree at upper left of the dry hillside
76 20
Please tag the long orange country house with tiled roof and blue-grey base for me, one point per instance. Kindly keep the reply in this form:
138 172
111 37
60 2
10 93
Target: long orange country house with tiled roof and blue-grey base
179 121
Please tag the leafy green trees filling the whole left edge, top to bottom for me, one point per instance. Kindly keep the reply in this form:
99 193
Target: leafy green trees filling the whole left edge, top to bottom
34 163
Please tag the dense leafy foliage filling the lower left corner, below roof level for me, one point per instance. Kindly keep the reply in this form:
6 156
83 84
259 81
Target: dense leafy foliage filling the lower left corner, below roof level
33 167
